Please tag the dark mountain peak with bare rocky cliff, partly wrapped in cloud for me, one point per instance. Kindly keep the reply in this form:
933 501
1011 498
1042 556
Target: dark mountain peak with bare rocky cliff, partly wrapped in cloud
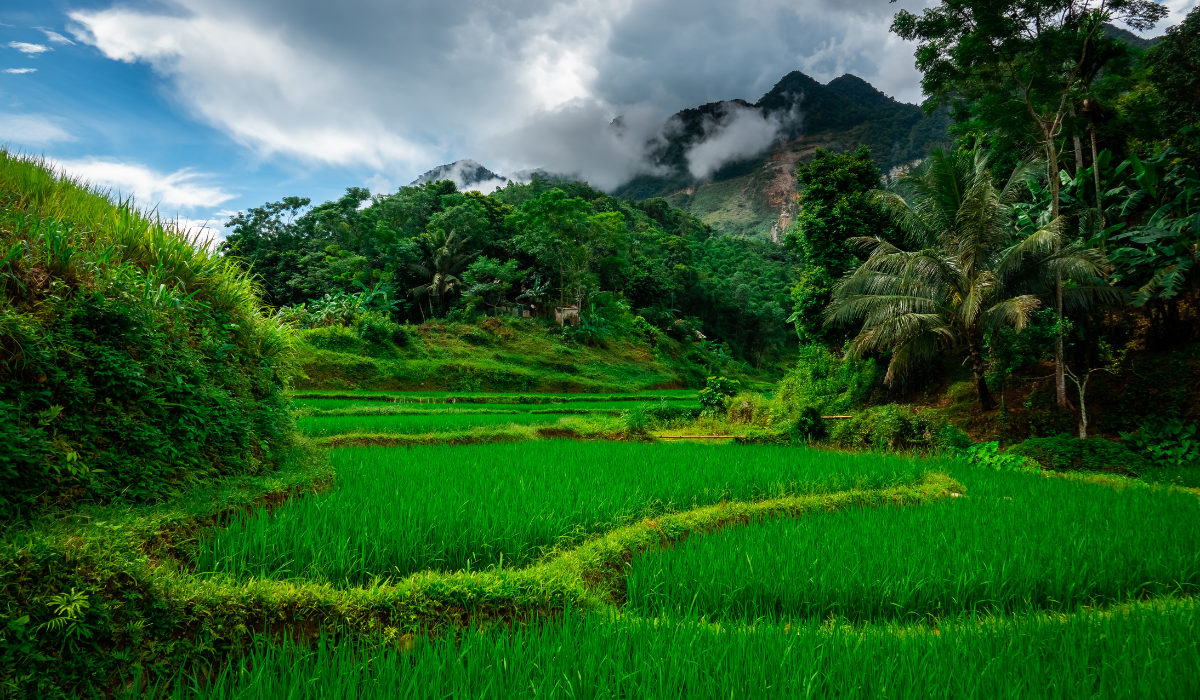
757 195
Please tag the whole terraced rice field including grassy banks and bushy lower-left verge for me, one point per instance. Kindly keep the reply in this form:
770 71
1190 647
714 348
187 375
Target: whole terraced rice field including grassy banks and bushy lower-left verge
611 567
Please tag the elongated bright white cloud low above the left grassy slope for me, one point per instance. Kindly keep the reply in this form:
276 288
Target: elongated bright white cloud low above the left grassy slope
152 189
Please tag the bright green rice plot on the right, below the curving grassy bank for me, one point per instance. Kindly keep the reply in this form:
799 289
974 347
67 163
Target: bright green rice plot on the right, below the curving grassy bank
1016 543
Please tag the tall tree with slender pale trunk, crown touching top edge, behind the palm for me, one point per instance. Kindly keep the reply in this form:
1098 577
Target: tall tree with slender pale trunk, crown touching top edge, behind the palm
1035 52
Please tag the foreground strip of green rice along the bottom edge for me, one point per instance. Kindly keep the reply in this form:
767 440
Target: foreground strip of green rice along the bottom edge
1145 651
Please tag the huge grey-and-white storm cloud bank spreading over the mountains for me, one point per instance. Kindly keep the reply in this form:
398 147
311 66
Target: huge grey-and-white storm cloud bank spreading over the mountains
399 88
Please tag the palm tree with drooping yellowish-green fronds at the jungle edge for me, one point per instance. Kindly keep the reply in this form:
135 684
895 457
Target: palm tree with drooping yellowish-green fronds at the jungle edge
967 271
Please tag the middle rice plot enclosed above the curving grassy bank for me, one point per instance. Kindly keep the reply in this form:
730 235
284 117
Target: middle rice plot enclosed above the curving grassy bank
397 512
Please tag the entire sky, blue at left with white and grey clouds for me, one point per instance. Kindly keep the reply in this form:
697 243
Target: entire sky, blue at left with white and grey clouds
205 107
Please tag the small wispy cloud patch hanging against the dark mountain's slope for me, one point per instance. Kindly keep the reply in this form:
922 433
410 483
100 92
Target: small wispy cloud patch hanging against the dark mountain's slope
737 134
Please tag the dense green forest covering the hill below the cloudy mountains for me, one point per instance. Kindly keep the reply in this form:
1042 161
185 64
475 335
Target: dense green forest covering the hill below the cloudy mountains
633 270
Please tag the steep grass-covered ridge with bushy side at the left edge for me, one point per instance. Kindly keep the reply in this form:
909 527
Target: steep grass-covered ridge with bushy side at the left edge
134 363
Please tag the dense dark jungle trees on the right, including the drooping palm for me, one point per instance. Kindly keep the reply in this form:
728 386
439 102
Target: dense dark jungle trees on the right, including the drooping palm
1059 235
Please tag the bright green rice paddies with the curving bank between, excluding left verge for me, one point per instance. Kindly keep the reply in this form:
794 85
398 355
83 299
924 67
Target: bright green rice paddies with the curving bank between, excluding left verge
688 579
